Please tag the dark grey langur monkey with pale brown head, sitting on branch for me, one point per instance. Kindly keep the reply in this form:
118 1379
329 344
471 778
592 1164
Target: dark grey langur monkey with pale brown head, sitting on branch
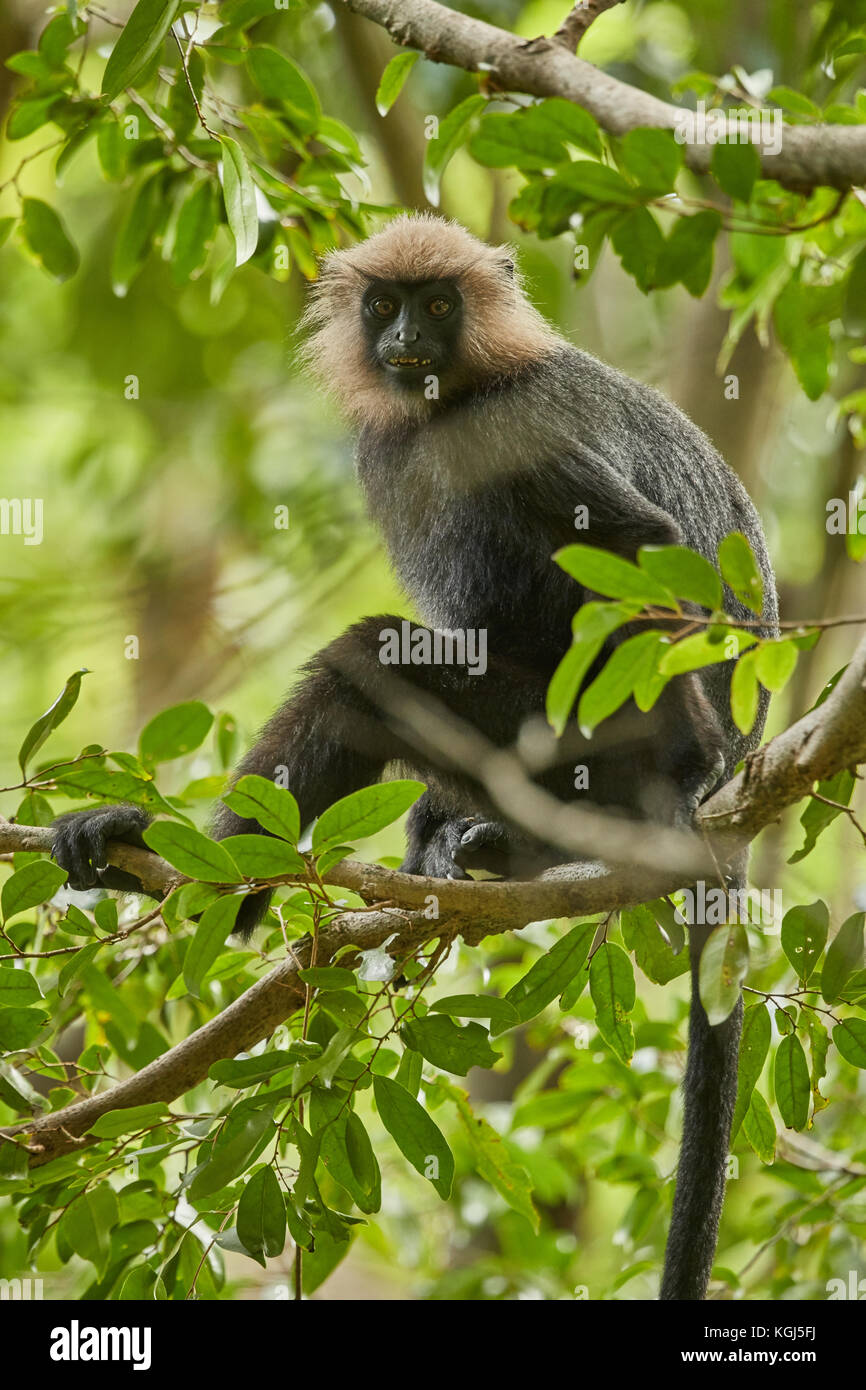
480 436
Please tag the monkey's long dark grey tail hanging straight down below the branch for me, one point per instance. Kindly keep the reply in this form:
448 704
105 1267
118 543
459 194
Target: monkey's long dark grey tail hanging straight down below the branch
711 1092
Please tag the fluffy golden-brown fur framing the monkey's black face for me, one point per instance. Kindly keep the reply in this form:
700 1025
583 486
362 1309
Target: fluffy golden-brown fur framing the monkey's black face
501 329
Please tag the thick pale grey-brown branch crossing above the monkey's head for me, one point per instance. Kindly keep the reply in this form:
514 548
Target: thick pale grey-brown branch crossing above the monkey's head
810 156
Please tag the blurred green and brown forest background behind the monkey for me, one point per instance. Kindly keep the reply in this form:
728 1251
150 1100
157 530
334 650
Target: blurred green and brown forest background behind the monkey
161 523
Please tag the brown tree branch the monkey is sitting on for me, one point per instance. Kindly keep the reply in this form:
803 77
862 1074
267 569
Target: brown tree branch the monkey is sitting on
783 772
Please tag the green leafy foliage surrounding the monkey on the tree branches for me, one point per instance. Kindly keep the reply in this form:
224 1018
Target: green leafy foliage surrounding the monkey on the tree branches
218 145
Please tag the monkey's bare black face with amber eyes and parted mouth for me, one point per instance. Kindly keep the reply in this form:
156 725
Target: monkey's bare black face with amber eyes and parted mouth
414 330
